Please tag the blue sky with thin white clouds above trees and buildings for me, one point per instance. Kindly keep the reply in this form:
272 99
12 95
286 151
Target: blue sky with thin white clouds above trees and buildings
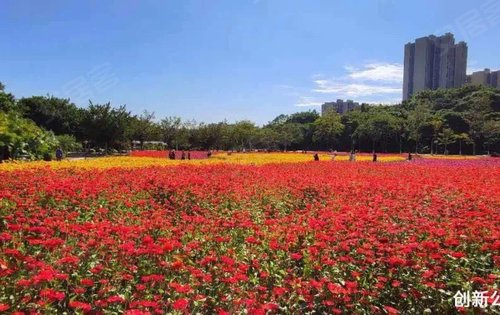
228 59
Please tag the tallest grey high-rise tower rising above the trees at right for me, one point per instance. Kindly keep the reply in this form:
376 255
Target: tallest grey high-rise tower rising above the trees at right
434 62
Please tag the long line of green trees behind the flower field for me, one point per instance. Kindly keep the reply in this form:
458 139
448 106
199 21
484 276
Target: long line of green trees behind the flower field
460 121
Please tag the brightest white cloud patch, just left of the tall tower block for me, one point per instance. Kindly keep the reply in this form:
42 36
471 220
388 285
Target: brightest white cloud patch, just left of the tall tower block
385 72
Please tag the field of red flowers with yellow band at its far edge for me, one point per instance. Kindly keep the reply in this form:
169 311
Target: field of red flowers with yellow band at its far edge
247 233
